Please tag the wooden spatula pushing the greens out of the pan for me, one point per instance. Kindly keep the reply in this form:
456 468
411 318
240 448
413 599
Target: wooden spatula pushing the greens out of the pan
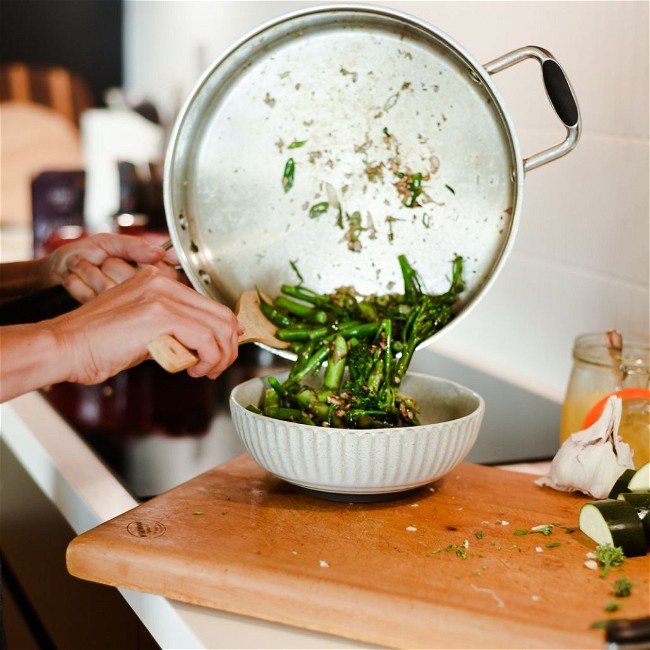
173 356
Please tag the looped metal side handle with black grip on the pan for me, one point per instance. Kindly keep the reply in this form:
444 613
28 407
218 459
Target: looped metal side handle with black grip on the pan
560 94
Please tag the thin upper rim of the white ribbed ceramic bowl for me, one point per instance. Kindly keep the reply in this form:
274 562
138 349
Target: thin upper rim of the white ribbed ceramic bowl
480 406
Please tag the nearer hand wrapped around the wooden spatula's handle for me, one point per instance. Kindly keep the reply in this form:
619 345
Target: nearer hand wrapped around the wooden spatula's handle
111 332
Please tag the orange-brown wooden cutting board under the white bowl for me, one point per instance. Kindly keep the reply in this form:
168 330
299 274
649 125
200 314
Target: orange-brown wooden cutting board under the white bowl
441 568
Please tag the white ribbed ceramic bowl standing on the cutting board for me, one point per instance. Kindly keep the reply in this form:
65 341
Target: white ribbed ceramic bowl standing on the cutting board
364 462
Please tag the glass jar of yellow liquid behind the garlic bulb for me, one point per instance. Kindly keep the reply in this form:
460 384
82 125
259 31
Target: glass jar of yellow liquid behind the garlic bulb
606 363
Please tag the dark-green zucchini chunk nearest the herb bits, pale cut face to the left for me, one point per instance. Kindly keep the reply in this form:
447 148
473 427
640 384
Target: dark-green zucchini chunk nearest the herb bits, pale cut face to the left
615 522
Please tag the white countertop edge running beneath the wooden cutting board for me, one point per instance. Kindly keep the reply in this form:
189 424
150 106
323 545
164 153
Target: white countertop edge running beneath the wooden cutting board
87 494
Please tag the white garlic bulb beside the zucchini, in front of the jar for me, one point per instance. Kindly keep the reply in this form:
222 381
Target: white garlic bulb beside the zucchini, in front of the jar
591 460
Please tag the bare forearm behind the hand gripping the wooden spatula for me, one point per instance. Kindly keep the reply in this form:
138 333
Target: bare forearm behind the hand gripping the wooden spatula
29 358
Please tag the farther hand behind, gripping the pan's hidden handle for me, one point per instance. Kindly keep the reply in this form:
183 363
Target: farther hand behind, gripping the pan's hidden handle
90 266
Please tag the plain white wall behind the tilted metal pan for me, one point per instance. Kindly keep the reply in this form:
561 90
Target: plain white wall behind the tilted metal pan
581 258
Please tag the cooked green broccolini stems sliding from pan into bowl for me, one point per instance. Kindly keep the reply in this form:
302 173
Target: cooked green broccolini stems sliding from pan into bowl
353 351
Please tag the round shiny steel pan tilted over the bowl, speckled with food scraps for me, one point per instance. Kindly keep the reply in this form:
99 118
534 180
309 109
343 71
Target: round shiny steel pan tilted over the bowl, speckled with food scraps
362 100
